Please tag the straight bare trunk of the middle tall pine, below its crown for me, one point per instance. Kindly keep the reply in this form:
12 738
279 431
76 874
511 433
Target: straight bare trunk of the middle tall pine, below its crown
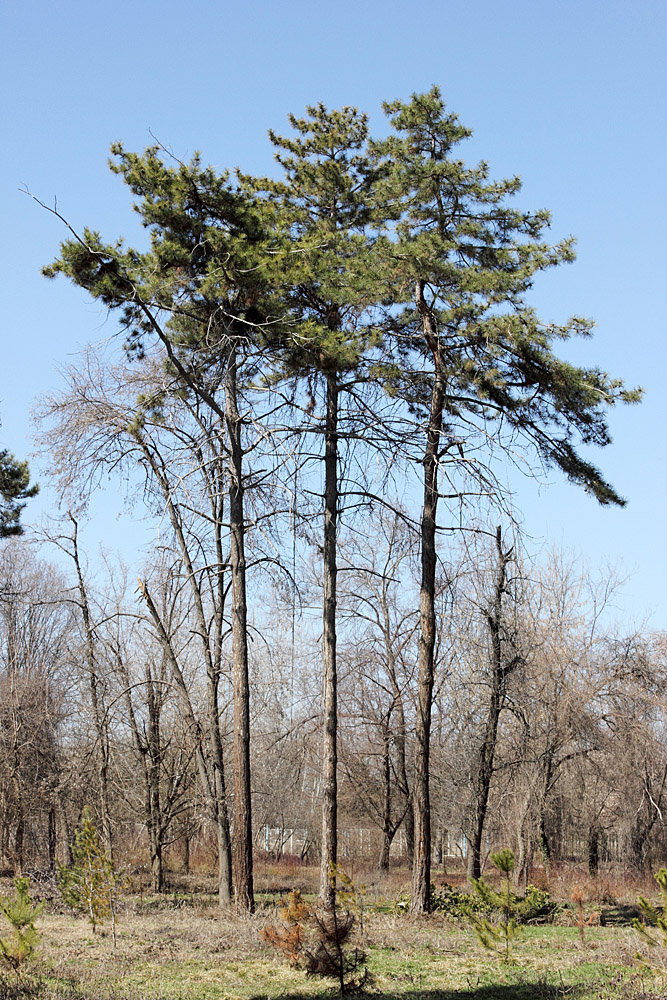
329 853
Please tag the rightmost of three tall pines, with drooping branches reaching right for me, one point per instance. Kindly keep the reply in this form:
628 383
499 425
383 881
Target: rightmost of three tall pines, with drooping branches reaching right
472 359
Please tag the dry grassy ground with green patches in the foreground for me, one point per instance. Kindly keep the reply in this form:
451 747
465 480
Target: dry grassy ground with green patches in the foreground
181 947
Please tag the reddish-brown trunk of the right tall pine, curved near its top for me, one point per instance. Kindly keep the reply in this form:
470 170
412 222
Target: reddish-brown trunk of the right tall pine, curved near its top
421 867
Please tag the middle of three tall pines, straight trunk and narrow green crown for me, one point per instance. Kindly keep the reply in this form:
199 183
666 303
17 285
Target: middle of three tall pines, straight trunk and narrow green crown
327 204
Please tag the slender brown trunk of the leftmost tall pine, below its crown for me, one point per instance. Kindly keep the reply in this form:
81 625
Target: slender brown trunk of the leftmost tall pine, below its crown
243 881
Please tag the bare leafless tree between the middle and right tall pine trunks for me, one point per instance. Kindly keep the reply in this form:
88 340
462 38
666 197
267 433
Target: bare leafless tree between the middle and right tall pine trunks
379 627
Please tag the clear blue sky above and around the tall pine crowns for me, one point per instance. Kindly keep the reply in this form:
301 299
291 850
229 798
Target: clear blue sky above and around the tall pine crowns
570 95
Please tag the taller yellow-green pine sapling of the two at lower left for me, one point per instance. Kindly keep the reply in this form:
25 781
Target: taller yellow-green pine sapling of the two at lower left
90 885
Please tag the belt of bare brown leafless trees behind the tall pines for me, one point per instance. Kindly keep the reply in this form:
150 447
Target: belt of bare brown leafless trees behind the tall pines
558 750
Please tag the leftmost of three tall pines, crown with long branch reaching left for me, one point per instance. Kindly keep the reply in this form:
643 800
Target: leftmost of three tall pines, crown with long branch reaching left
200 292
